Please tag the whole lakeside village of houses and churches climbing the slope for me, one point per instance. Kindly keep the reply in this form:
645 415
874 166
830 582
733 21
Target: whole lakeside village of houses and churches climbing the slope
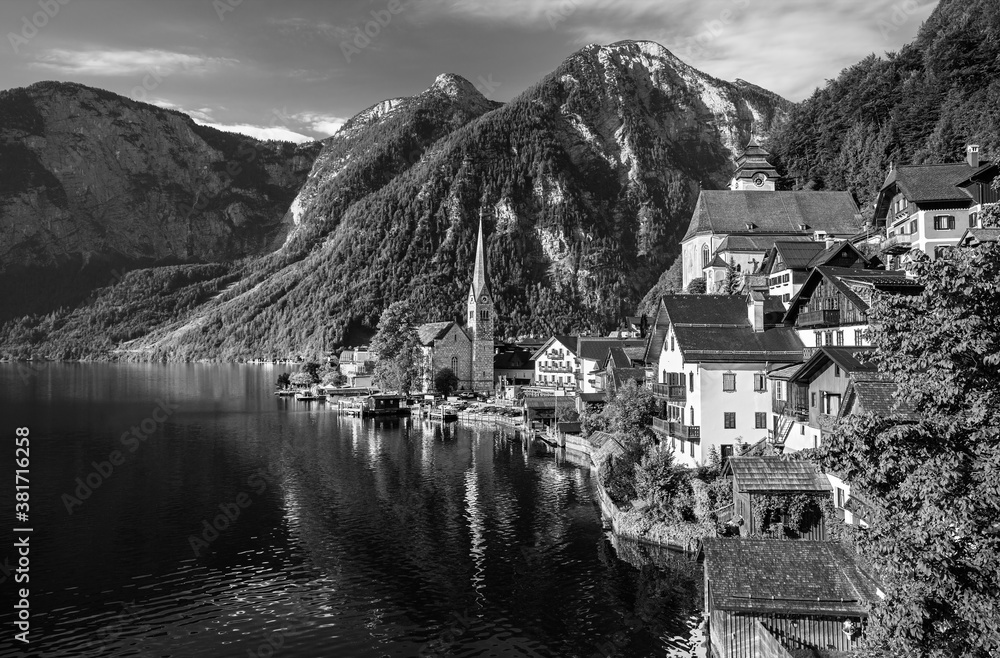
744 374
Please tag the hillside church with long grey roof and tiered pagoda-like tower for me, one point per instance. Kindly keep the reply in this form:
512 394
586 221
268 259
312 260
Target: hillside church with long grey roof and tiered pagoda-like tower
742 223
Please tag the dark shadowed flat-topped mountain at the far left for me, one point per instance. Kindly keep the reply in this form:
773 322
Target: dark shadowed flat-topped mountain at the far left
92 183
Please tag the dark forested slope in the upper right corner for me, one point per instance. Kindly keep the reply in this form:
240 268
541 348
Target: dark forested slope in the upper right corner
923 104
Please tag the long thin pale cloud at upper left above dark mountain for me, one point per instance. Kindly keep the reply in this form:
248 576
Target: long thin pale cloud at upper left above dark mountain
112 63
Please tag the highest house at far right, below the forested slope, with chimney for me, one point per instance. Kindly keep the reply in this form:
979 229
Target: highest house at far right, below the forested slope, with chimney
929 207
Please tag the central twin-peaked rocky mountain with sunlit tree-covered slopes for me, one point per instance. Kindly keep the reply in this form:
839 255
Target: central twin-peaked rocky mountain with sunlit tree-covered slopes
585 183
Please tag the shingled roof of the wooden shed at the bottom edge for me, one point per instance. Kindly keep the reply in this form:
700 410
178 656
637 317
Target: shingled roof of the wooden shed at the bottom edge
790 577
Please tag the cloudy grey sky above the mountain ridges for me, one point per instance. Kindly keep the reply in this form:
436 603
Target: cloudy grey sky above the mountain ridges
297 69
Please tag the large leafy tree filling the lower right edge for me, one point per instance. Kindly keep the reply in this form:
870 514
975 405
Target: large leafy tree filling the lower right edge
934 538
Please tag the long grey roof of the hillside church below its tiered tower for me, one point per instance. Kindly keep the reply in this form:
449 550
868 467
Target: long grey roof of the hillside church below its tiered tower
728 212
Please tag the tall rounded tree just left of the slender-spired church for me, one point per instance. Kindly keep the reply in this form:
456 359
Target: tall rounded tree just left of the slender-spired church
397 349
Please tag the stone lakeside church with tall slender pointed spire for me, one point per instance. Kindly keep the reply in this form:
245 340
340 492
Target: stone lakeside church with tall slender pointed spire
467 350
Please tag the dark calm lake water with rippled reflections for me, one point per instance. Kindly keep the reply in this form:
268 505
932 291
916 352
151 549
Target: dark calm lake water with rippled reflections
343 537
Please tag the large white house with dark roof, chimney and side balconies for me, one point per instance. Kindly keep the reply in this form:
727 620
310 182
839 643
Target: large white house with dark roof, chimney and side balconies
709 356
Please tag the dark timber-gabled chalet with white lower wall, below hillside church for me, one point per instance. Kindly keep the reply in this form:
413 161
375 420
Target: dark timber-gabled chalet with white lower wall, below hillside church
831 307
